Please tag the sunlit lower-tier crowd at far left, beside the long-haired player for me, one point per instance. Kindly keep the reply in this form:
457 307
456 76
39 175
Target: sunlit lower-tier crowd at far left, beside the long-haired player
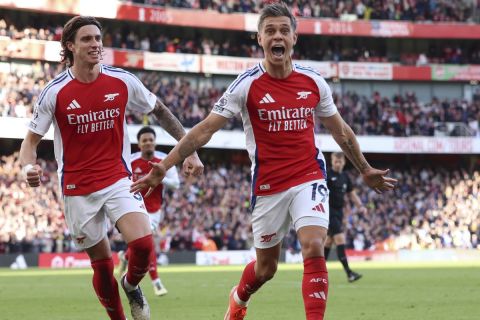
31 220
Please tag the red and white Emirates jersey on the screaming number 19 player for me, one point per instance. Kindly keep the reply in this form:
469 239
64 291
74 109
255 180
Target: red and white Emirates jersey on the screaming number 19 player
278 119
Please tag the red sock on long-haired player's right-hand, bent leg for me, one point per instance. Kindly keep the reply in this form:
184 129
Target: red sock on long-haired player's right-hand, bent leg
139 259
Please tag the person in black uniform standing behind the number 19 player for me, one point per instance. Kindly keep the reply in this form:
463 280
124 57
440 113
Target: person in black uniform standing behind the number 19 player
339 184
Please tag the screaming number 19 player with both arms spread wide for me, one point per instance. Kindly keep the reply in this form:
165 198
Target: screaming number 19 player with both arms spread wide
278 100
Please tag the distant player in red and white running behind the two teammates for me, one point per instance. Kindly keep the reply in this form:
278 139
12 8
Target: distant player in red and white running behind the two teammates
140 167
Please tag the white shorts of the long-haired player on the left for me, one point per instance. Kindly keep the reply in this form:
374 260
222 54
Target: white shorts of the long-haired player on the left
86 215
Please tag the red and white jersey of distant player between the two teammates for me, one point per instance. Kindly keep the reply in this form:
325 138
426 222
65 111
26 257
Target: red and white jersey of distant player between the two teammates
141 167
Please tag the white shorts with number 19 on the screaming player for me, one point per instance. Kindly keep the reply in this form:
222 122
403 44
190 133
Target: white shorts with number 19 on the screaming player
303 205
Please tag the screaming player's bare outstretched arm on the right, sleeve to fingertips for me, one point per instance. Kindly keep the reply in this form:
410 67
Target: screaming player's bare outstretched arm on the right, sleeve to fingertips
344 136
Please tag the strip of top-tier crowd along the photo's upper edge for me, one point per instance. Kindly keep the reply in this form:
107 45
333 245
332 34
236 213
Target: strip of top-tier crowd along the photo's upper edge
413 10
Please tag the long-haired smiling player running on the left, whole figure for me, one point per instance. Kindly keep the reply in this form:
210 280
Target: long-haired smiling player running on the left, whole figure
86 104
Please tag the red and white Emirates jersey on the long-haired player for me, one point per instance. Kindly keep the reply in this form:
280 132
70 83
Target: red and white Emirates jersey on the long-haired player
91 141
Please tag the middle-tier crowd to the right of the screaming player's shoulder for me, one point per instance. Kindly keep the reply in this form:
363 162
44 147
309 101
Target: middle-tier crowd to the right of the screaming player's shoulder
404 115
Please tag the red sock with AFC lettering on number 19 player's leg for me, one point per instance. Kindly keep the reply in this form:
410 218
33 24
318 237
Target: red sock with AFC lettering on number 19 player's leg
315 287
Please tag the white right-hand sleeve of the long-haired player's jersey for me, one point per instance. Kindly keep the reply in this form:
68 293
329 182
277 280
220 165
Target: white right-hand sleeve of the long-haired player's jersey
140 99
